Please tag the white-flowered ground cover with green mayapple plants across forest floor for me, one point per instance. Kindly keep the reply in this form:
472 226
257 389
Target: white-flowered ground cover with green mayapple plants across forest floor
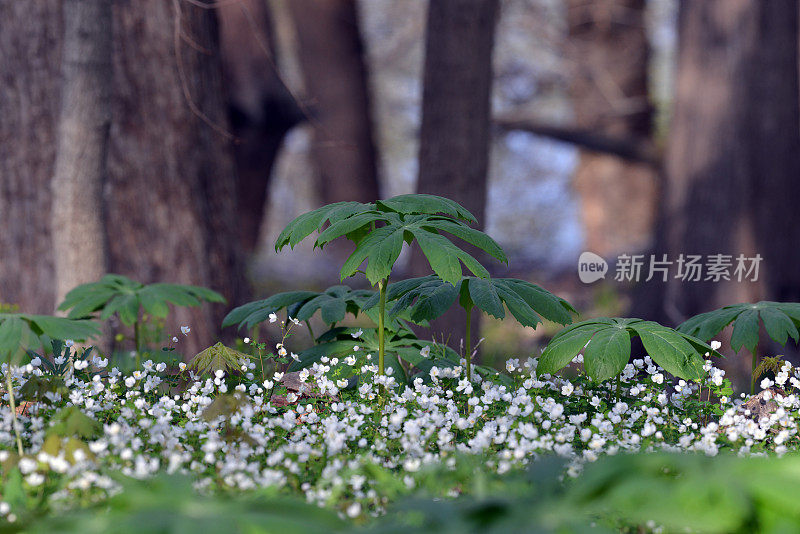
372 429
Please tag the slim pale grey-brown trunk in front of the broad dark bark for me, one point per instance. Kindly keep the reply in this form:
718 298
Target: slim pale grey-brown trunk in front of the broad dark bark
77 223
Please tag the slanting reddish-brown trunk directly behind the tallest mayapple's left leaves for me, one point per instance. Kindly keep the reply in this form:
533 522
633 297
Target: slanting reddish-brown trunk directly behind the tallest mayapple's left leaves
331 55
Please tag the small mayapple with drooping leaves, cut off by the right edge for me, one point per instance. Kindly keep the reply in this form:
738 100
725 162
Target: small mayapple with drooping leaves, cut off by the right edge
781 321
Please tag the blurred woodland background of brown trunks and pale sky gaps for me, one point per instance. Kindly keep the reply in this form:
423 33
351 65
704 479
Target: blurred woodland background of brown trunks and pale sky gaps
171 140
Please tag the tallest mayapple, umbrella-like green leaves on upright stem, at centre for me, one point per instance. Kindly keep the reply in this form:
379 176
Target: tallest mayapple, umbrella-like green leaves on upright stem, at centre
379 230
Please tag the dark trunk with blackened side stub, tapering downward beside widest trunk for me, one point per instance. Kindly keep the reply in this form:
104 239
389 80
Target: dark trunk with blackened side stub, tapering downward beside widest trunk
260 107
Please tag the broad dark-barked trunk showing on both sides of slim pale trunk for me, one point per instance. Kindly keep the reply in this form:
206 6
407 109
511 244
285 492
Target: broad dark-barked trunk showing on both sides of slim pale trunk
170 195
